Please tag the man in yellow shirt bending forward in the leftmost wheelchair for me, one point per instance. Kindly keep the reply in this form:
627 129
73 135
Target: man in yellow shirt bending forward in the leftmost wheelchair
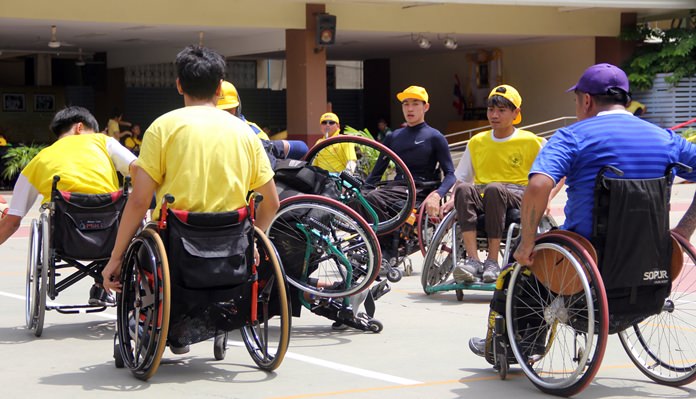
86 163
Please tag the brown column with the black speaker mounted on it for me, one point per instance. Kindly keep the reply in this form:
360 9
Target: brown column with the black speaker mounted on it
306 82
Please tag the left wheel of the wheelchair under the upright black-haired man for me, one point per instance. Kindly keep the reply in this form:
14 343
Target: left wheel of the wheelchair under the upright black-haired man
143 305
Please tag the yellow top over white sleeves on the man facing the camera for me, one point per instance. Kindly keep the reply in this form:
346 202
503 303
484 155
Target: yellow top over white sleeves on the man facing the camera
503 161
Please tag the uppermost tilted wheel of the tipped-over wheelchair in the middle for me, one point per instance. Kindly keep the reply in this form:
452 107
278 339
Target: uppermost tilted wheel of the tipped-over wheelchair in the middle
370 150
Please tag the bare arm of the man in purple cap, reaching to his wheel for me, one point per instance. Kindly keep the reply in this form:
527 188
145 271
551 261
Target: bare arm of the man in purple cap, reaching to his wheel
534 202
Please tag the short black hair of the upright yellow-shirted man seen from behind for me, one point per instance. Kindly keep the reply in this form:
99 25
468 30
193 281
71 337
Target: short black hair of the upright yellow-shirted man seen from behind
200 71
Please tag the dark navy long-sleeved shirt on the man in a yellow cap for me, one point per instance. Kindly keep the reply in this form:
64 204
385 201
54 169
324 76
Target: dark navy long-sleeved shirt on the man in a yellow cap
422 148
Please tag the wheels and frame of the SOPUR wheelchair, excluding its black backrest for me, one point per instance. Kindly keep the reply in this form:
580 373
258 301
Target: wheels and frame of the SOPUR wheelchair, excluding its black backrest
557 318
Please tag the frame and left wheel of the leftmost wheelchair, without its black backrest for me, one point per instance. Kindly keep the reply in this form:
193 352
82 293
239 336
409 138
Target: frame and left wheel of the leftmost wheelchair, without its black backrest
44 264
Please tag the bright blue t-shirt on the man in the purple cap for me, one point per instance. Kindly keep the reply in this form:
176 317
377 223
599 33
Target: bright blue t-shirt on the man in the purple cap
637 147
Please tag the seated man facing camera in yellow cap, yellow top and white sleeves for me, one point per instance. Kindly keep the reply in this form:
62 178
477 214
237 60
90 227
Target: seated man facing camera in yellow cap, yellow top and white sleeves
491 178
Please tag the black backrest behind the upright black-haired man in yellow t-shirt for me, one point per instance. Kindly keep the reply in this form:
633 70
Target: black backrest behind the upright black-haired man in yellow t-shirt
209 250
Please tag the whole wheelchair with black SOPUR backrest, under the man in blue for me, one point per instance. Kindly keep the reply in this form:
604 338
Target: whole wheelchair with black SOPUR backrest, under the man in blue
635 279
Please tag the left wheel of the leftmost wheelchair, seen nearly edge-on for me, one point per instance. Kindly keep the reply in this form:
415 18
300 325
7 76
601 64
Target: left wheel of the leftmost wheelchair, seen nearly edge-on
37 275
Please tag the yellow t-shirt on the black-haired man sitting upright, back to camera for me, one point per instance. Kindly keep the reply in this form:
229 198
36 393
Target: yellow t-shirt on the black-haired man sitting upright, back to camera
206 158
